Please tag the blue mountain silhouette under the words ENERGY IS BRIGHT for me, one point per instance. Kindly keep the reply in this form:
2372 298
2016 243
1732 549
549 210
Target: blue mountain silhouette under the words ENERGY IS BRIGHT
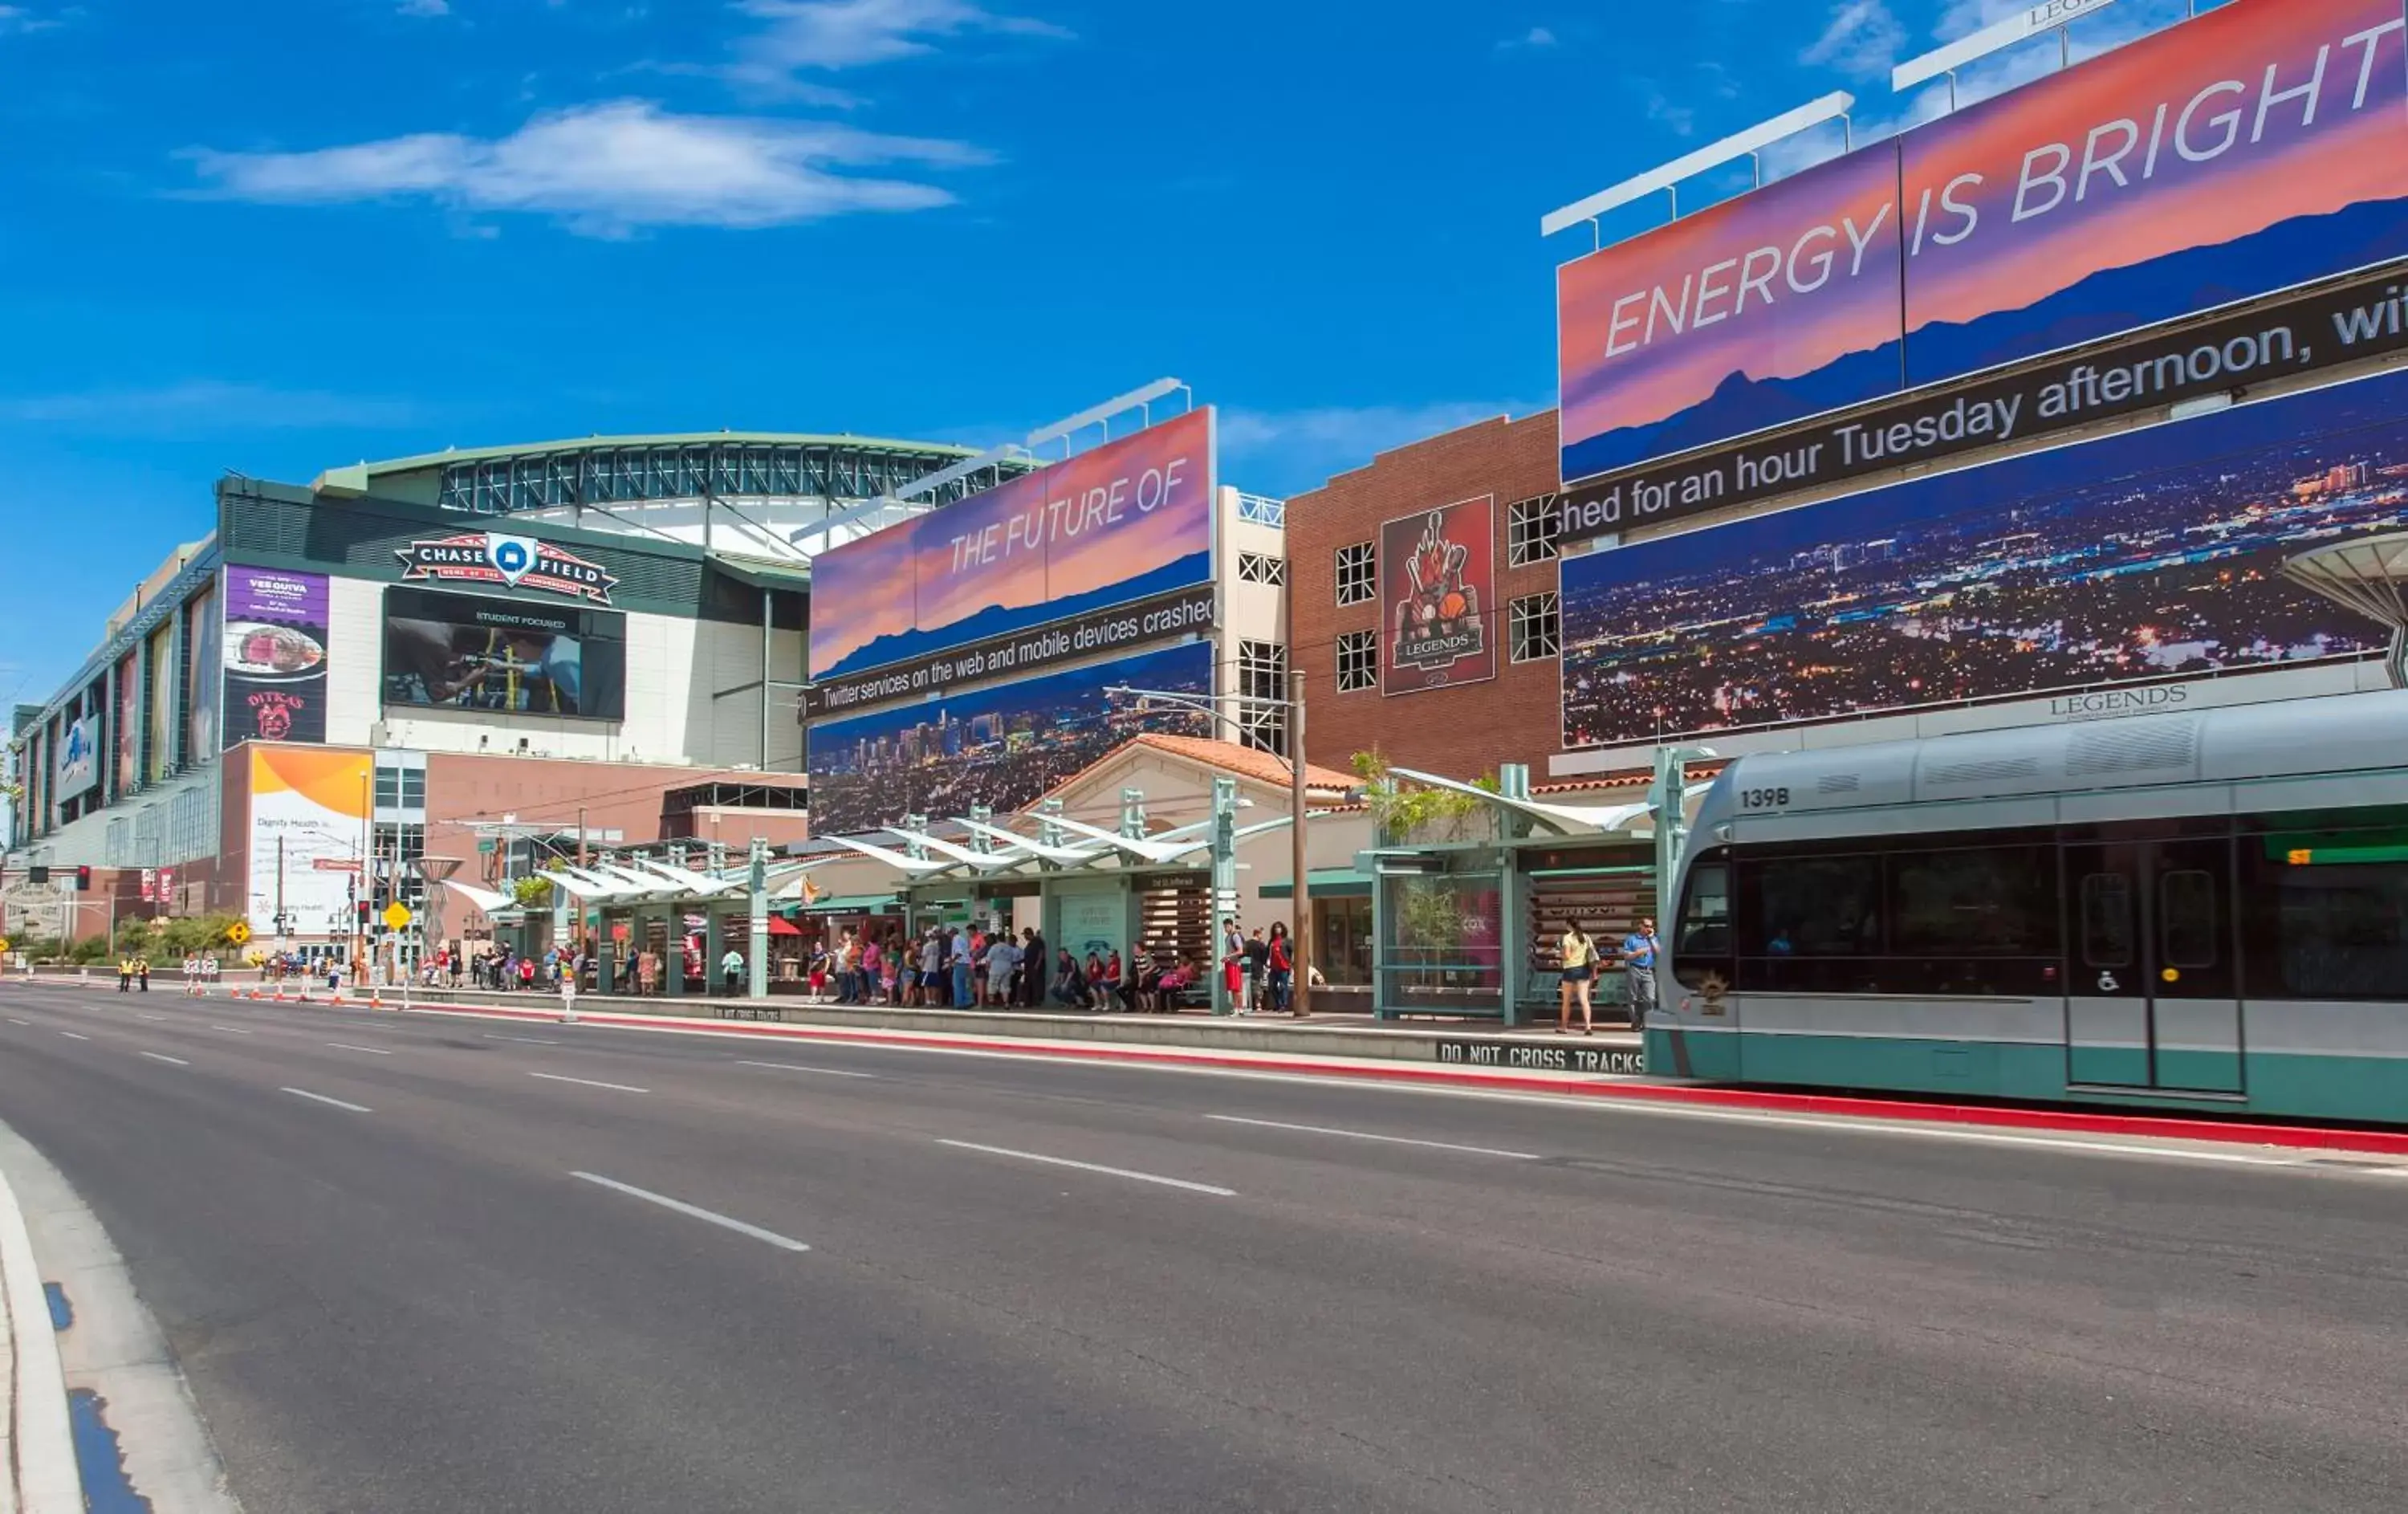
2101 304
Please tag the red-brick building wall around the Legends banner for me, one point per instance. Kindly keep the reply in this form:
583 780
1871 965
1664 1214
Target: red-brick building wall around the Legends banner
1340 620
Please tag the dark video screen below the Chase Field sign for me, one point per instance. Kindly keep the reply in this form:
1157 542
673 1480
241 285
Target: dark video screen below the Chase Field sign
478 653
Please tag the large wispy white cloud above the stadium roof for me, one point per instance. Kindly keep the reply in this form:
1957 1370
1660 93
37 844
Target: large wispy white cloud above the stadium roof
608 170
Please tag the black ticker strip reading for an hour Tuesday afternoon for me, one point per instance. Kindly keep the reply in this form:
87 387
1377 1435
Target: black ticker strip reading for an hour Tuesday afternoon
2282 341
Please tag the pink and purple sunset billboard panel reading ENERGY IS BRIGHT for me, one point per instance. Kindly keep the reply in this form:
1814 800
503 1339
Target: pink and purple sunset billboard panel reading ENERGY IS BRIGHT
2233 155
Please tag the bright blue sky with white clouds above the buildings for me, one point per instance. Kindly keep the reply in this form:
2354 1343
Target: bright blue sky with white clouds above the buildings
290 235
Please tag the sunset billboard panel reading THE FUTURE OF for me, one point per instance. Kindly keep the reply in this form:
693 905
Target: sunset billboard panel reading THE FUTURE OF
1114 526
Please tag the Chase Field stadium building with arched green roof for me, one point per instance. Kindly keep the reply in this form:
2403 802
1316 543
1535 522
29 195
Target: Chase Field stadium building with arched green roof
442 658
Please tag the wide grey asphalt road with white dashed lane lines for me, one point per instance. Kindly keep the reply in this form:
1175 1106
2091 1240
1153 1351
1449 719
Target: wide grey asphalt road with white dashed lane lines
1217 1294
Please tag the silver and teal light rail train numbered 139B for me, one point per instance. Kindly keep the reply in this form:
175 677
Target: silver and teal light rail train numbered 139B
2200 911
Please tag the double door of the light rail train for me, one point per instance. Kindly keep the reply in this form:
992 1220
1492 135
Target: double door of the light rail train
2152 986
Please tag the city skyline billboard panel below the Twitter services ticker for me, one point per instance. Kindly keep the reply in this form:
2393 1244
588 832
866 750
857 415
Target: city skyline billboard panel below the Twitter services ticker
1001 747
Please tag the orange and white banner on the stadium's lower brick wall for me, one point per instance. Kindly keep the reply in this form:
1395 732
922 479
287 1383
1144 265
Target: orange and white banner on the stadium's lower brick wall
309 808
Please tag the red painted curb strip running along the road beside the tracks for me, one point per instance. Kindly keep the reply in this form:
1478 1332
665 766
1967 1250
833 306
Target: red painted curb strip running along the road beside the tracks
1663 1094
